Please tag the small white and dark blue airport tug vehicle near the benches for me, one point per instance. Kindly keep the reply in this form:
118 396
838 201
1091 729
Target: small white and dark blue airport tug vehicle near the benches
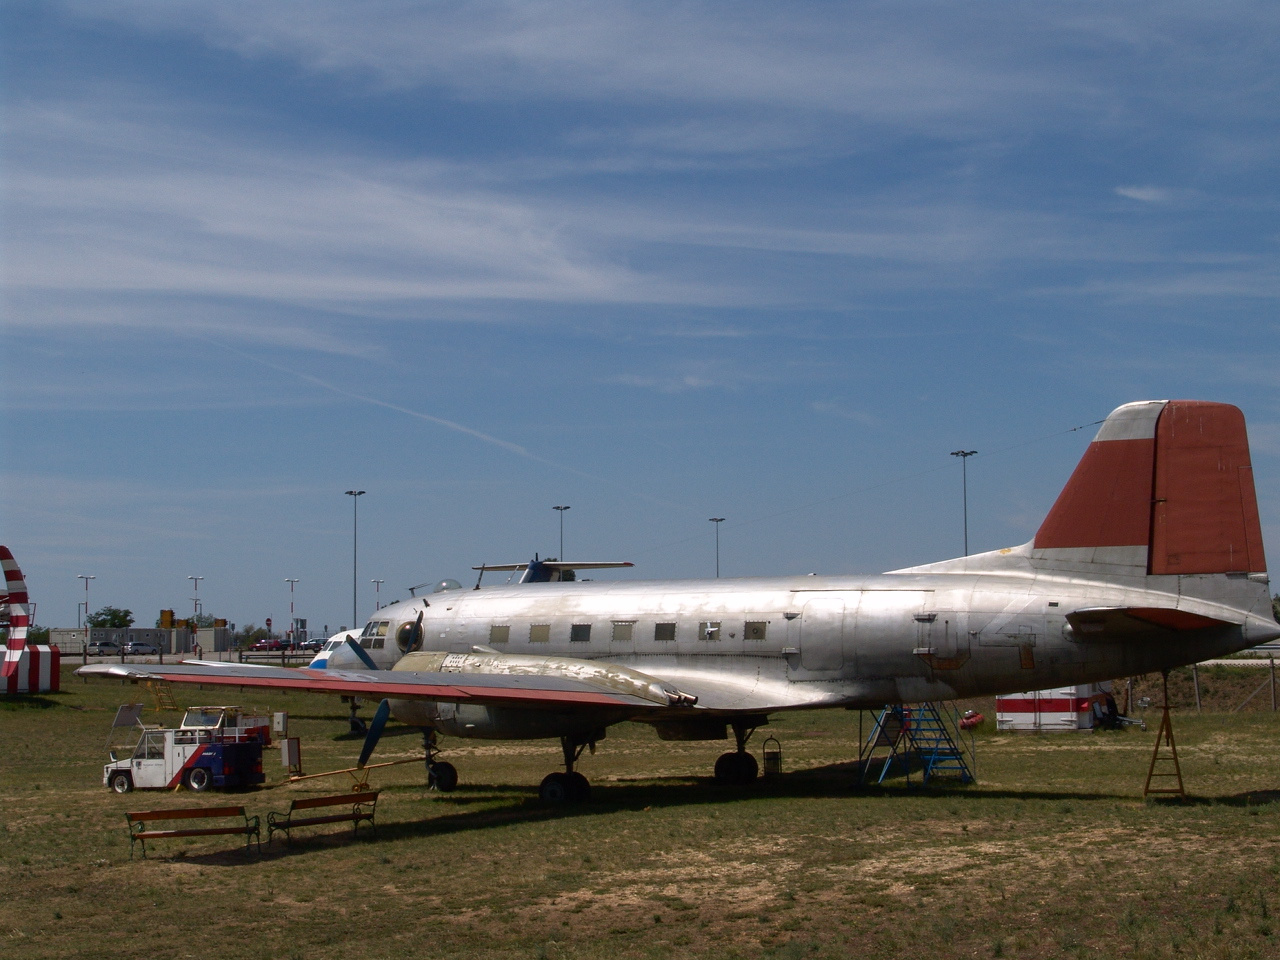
216 748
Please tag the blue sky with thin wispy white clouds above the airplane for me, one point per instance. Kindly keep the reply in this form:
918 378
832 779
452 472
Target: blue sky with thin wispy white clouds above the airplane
657 262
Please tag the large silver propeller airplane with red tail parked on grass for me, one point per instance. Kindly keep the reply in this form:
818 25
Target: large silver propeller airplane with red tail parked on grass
1151 559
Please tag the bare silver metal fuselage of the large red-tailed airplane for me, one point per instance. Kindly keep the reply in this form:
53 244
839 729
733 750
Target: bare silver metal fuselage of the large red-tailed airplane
808 642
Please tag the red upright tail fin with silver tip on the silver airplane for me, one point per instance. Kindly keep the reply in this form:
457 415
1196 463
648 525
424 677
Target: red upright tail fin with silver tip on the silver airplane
1165 490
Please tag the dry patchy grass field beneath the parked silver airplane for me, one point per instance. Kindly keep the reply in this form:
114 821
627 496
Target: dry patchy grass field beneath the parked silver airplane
1053 853
